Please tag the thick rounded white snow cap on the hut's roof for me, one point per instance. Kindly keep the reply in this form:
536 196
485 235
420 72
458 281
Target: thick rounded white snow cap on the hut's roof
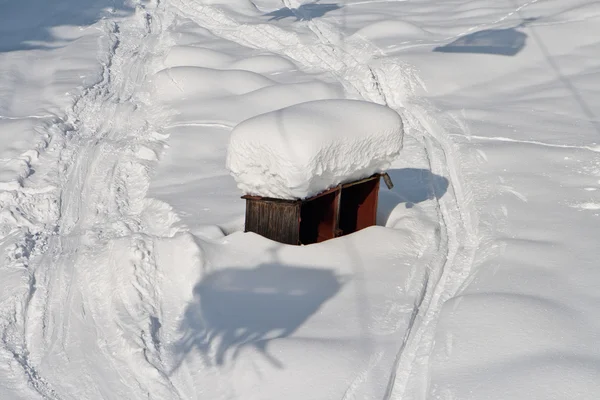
299 151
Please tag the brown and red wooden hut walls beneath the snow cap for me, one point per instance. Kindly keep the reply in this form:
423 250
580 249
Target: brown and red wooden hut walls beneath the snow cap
339 211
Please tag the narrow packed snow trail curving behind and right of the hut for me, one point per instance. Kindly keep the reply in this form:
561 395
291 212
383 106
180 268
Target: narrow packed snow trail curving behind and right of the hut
389 82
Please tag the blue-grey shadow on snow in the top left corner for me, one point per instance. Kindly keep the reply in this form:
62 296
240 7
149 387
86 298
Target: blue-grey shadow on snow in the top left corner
35 24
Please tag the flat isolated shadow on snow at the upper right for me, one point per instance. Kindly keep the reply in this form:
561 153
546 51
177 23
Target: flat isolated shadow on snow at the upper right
506 42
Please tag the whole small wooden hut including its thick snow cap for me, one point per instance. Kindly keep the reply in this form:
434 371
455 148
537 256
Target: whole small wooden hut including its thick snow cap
311 172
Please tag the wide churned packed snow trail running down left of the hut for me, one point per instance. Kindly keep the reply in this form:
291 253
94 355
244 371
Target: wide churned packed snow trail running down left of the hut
98 164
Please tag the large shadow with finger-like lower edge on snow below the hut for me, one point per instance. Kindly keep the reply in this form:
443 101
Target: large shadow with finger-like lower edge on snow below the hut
239 308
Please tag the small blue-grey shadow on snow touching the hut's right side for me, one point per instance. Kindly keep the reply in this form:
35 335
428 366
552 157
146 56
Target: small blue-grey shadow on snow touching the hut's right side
411 186
